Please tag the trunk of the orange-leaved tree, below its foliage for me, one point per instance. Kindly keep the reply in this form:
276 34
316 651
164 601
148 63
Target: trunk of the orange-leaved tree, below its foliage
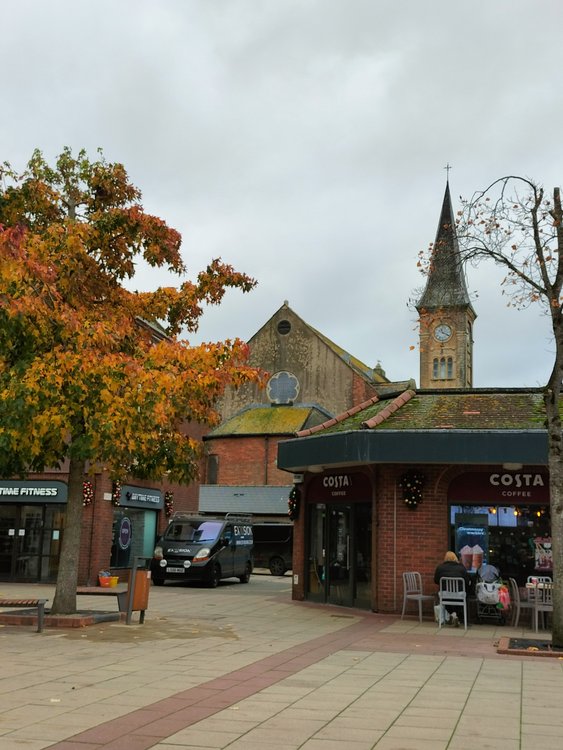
64 602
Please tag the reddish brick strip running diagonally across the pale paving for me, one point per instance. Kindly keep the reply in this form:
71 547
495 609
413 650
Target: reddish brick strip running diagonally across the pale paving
147 726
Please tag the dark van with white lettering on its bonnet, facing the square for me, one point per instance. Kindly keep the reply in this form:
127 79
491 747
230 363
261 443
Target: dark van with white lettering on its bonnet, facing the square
197 547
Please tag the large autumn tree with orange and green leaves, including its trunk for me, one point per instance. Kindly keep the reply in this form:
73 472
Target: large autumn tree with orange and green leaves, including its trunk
82 376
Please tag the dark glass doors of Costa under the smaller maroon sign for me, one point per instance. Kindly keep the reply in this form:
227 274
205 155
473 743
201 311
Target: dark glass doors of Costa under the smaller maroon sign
340 554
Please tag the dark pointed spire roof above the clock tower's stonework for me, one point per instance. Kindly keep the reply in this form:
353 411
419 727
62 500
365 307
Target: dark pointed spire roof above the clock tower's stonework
445 285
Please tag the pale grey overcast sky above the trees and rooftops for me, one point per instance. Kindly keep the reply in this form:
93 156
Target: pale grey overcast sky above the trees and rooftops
304 142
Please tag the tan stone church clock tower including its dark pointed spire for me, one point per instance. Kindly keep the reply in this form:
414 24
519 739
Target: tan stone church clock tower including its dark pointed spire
445 312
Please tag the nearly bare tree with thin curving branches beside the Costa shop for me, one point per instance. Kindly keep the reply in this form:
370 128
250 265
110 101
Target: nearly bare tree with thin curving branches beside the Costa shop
514 224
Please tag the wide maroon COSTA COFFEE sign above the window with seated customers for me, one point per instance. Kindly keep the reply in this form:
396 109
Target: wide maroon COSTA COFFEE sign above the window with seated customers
500 486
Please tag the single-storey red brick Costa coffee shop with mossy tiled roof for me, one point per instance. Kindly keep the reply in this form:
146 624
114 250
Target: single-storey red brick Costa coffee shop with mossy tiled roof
392 485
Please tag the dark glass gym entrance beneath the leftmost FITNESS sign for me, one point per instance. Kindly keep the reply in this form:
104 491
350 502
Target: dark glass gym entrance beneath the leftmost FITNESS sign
30 538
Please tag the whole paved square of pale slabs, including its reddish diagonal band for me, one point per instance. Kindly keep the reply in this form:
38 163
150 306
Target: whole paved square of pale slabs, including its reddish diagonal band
242 666
